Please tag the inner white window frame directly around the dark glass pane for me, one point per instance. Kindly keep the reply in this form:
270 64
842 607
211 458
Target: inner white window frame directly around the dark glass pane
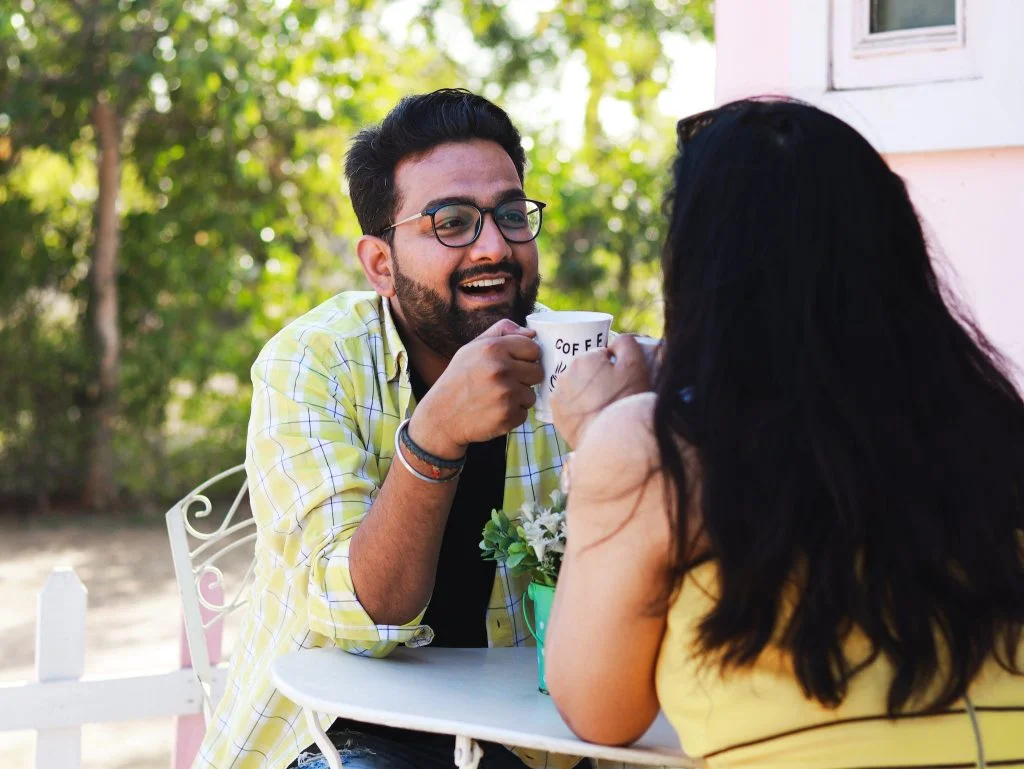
865 60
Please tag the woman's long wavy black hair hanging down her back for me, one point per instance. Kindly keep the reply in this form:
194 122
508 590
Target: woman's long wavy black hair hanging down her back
861 449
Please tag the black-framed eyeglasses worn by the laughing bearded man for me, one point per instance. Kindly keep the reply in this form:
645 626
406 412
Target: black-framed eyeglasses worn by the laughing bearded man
459 225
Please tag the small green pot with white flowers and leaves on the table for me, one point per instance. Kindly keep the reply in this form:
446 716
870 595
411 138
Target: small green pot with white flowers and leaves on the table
533 543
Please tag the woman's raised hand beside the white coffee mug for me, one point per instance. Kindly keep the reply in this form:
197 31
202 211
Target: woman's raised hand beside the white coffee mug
595 380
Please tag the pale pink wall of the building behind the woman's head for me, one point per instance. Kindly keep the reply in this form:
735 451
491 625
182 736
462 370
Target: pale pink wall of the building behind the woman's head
972 201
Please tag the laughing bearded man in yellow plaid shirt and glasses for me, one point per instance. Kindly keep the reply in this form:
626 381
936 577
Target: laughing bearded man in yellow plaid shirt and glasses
360 548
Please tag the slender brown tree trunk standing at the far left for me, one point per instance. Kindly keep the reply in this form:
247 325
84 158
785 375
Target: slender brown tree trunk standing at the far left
101 483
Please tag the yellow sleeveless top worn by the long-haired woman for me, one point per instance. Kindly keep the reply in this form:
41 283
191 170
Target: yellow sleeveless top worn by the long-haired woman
758 718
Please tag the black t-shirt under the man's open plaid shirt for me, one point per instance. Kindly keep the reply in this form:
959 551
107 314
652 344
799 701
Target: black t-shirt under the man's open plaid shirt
464 581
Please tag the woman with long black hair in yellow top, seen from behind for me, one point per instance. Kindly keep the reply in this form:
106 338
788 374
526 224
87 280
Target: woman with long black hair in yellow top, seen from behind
805 545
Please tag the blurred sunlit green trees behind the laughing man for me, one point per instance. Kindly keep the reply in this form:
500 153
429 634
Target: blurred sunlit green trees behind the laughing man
172 195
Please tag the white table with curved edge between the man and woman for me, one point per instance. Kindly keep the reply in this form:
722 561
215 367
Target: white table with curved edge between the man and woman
488 695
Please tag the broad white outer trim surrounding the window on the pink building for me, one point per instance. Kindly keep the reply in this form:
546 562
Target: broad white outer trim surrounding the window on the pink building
980 111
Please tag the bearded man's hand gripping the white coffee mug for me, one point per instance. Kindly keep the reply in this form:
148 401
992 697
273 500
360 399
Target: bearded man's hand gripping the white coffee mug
486 392
